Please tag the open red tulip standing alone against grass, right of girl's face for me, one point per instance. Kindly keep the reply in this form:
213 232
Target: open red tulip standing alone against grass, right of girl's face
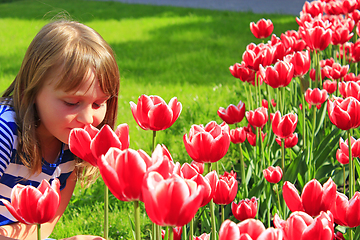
152 112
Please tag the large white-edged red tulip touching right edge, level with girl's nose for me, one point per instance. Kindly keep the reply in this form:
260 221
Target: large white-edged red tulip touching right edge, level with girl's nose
344 114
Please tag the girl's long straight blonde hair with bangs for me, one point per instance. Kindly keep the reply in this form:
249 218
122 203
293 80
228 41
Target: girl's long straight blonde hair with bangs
75 49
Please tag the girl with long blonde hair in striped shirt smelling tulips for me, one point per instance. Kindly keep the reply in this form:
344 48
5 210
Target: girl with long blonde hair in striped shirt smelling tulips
68 79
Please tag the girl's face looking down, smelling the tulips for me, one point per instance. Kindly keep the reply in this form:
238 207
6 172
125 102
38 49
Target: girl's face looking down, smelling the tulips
61 111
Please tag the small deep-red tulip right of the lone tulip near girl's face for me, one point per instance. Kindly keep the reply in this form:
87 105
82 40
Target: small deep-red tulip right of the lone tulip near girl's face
232 114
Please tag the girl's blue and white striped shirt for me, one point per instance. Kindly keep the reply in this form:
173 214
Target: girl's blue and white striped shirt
12 170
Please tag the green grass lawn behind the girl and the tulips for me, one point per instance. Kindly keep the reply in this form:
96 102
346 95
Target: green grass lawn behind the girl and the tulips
165 51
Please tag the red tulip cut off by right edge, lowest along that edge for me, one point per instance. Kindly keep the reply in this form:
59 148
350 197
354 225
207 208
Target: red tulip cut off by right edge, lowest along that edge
346 212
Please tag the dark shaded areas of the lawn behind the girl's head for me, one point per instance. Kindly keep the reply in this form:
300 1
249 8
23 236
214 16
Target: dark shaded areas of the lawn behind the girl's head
198 52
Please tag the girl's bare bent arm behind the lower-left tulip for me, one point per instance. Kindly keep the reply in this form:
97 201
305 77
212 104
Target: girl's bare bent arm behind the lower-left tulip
29 232
